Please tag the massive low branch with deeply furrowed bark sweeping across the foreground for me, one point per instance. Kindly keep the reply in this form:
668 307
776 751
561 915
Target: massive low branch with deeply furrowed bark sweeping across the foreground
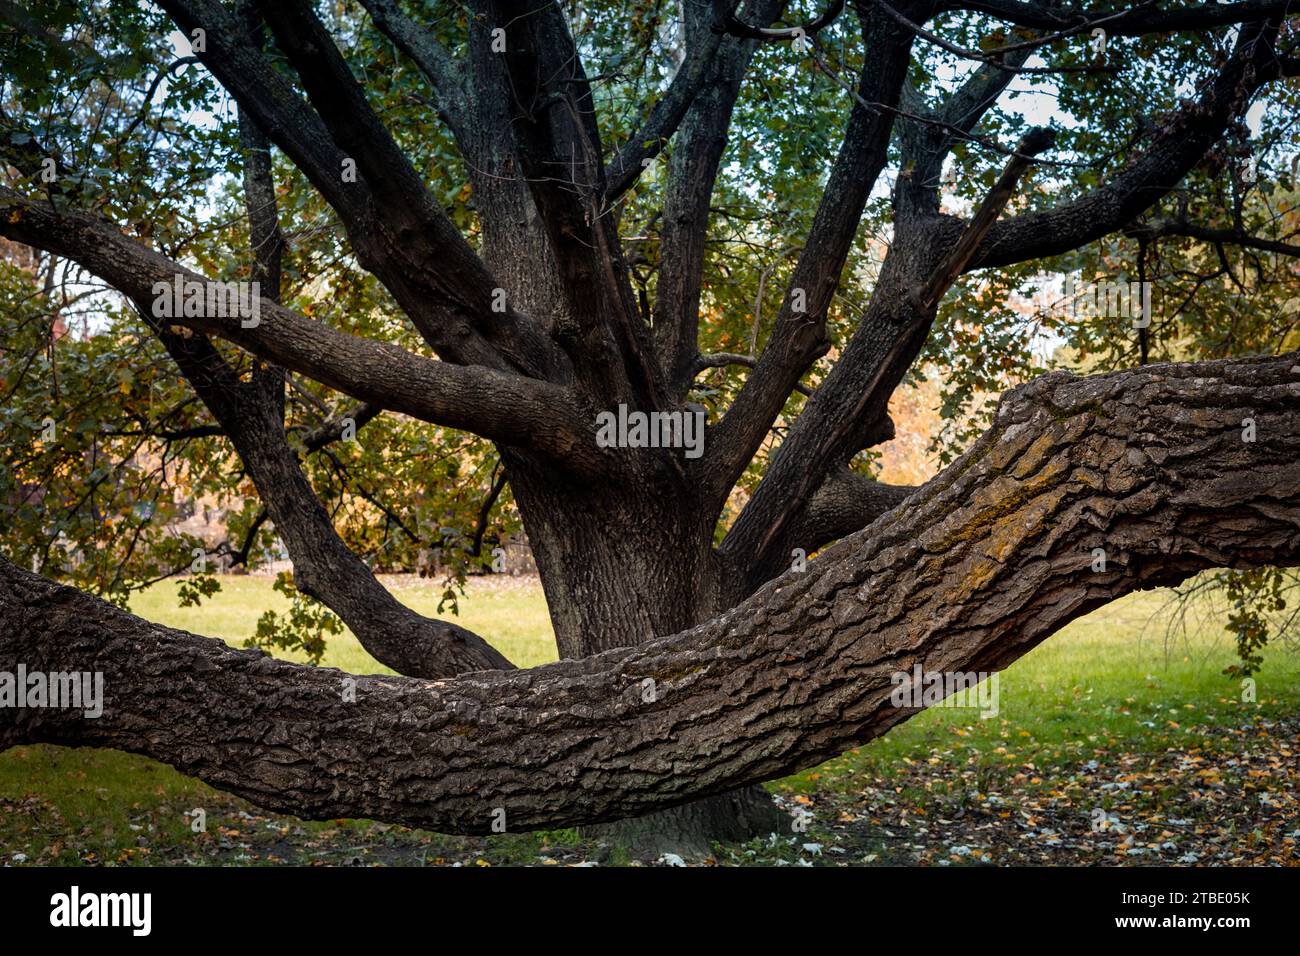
969 573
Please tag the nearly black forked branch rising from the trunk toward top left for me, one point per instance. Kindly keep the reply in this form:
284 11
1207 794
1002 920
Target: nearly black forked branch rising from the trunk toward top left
397 230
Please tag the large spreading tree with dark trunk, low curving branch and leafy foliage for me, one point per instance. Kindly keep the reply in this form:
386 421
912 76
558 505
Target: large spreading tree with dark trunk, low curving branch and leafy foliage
701 654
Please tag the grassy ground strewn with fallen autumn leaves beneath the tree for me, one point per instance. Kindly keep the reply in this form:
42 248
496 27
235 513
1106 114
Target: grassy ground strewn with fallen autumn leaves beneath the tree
1117 742
